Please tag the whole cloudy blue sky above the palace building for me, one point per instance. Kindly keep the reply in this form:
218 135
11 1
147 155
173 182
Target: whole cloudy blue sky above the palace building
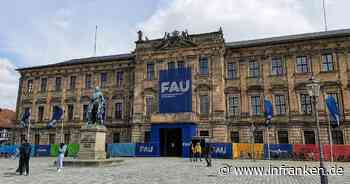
49 31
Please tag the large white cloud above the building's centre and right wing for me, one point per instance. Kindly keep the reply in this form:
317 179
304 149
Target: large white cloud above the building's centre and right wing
240 19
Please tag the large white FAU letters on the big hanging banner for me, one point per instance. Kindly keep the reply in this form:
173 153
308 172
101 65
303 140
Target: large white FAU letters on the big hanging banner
175 86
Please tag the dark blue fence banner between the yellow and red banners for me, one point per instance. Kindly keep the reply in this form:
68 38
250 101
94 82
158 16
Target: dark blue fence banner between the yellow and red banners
278 151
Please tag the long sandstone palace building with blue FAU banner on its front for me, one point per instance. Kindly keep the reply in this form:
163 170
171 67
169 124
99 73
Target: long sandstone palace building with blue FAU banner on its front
171 89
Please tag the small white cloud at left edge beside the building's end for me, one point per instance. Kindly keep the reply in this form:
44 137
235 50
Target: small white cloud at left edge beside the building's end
8 84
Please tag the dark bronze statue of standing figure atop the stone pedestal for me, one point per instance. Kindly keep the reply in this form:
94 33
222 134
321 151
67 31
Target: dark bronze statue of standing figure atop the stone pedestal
96 109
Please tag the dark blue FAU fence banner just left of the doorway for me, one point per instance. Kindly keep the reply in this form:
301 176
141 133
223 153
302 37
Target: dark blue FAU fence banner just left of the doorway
147 150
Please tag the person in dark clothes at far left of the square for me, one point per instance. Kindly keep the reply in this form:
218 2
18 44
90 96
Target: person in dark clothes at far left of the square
24 156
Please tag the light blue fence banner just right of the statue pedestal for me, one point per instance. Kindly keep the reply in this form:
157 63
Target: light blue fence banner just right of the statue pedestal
121 150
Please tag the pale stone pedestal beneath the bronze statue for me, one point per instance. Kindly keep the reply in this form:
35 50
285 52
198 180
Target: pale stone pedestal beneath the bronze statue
92 142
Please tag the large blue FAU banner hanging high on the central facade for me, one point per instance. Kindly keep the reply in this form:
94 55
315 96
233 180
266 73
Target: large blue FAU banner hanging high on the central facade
175 90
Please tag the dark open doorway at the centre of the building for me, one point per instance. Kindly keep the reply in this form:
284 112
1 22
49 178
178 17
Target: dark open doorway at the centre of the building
170 142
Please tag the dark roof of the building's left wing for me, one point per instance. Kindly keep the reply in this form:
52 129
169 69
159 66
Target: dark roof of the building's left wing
88 60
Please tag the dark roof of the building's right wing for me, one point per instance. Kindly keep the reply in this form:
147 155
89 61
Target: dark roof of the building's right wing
289 38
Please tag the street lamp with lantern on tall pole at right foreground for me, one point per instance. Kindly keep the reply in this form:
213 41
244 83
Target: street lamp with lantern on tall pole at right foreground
314 92
